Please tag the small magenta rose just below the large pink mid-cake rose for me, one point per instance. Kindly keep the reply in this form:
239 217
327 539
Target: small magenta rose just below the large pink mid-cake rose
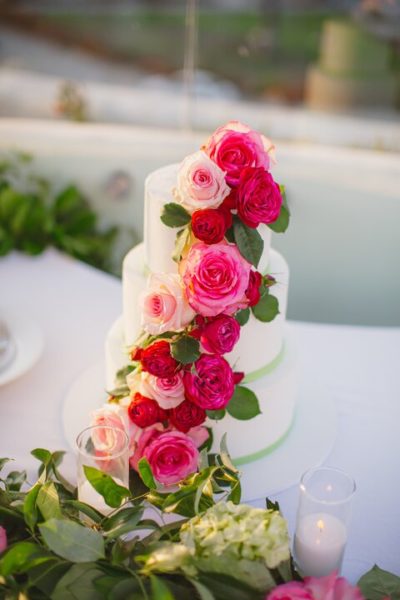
220 334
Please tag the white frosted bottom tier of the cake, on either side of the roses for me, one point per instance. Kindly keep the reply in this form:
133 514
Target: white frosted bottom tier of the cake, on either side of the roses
276 389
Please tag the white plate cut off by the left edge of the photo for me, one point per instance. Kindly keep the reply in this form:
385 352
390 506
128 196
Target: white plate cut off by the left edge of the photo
29 342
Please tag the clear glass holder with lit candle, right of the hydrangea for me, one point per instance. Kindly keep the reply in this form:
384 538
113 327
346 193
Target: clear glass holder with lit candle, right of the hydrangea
322 521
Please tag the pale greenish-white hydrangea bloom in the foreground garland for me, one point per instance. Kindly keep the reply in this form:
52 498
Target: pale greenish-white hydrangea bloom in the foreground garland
241 531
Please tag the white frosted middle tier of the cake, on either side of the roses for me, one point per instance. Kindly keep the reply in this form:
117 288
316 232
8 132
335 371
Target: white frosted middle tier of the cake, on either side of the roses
259 343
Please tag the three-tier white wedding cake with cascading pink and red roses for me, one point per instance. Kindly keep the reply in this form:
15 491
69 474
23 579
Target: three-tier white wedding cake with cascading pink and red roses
201 348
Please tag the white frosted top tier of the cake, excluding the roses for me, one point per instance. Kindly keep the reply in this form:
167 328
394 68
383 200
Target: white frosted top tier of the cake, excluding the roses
159 240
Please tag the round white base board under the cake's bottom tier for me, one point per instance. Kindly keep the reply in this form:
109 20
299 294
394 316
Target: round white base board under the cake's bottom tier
307 444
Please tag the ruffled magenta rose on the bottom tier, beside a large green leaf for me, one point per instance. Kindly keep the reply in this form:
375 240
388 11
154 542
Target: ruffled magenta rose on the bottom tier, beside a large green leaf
211 384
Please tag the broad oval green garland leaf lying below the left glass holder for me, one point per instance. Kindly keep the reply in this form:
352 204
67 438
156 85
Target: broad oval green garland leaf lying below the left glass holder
72 541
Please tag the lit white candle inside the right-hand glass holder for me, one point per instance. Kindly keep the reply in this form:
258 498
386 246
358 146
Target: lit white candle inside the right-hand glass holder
319 544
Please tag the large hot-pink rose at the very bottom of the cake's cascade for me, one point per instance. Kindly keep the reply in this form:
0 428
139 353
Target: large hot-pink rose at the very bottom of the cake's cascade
172 457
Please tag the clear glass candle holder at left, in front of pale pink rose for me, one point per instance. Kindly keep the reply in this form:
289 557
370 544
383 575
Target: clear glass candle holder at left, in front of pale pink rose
107 449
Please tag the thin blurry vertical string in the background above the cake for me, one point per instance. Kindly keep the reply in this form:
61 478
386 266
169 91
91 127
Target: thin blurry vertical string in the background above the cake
189 64
